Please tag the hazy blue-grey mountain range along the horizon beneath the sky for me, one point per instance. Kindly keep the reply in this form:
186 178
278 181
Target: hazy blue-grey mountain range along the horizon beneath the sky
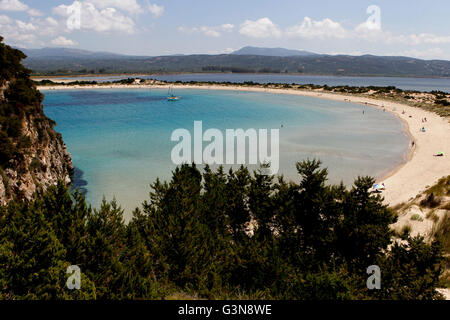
246 60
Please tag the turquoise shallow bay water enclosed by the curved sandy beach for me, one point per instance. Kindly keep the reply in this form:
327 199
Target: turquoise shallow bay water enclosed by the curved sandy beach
120 139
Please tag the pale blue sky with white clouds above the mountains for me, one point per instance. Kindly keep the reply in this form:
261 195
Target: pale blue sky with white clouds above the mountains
418 29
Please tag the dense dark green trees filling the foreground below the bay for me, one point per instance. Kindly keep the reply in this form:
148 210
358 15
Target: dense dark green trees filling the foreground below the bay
194 238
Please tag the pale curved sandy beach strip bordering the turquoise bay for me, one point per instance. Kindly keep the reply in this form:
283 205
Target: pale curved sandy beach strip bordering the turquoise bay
421 170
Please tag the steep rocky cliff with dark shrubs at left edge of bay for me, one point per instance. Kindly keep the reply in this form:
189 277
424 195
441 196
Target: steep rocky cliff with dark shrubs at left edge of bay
32 154
